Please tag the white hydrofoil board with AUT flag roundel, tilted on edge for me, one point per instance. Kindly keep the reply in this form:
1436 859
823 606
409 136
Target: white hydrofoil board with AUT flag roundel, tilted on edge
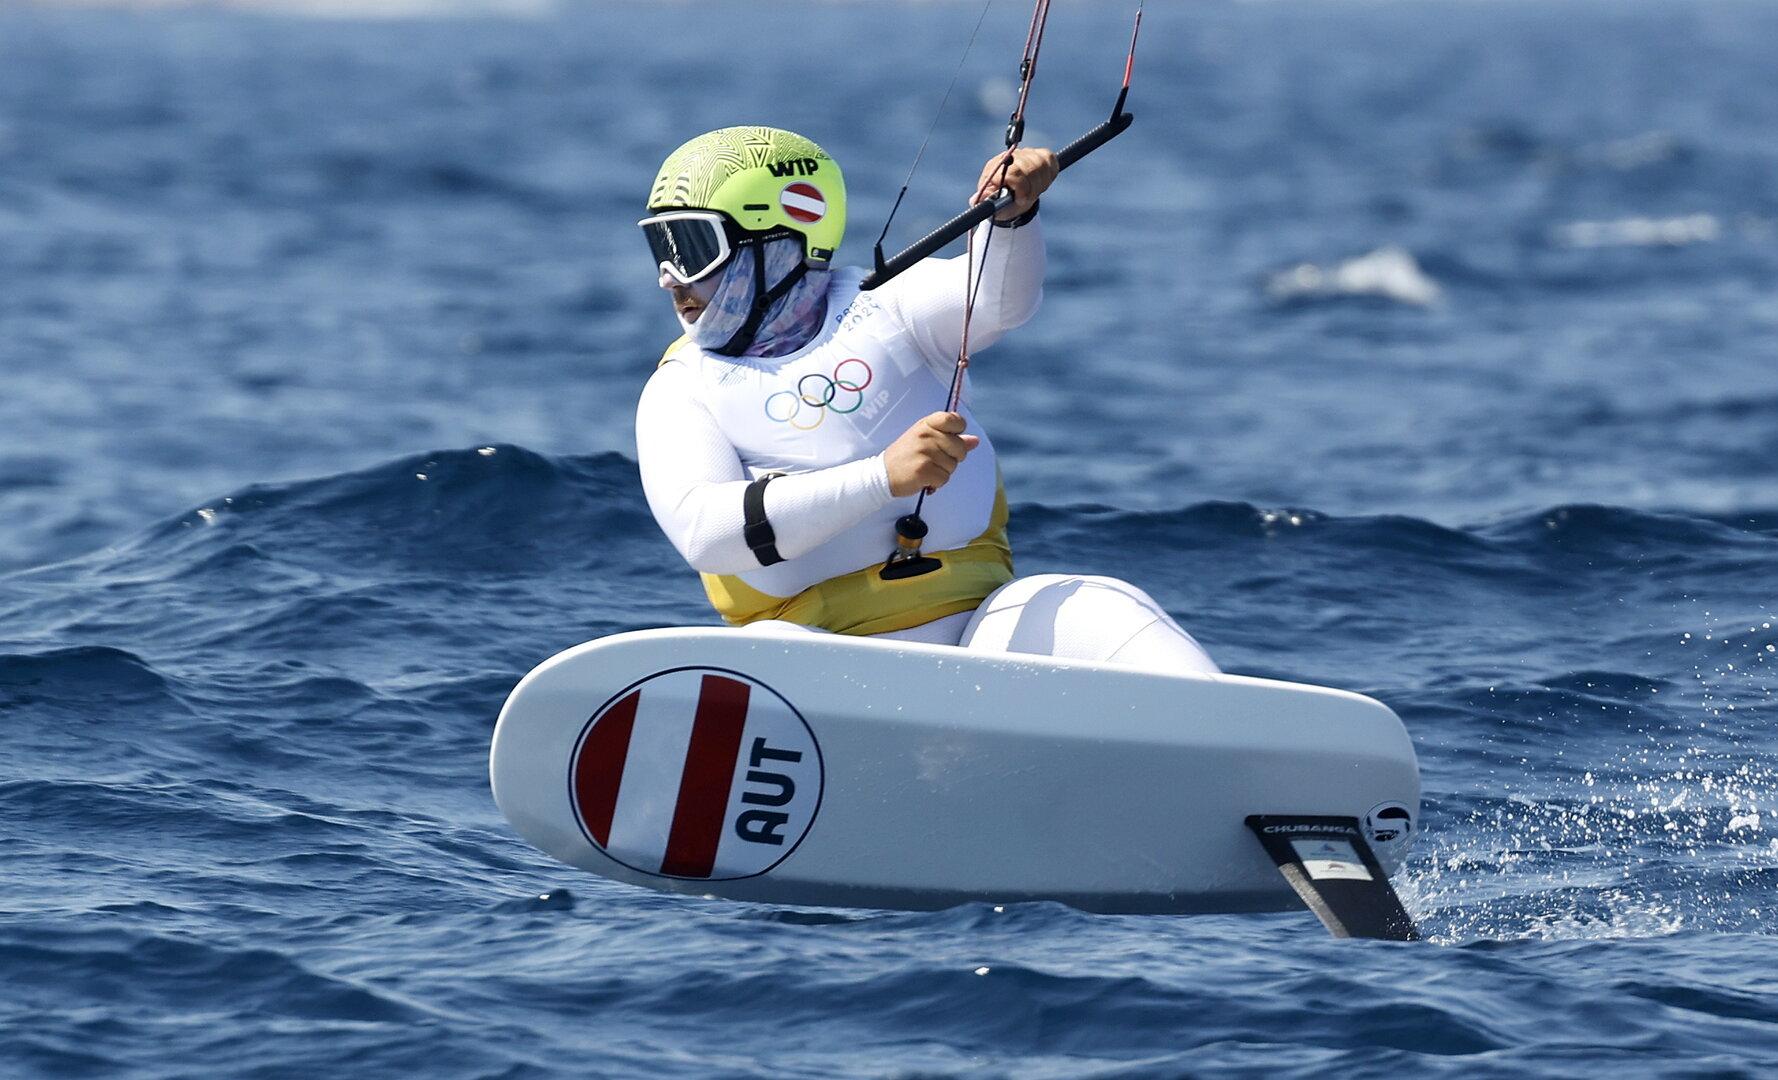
842 771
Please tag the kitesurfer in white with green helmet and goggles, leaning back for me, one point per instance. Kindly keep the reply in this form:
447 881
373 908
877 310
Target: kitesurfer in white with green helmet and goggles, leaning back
797 421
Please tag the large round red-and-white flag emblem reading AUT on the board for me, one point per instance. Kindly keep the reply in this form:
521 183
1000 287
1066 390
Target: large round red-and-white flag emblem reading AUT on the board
698 773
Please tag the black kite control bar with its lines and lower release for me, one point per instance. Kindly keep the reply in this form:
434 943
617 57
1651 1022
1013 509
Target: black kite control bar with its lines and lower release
908 561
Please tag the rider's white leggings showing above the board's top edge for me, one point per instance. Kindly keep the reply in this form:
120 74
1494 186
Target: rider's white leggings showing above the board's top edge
1059 615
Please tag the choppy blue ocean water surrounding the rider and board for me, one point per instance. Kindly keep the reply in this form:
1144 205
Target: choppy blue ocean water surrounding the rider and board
1416 348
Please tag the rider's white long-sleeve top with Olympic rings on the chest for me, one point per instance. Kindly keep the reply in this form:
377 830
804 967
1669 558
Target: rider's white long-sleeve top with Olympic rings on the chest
883 360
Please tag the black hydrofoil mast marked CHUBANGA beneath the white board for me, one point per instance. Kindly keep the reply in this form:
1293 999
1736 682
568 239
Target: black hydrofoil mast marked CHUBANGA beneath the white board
1331 866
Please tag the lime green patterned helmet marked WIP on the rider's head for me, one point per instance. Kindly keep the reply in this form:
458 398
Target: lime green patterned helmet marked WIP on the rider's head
762 179
